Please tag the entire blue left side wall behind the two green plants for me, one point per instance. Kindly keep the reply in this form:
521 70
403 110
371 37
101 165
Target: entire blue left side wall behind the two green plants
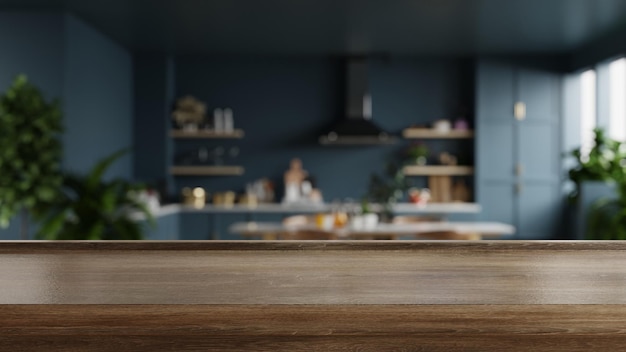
89 73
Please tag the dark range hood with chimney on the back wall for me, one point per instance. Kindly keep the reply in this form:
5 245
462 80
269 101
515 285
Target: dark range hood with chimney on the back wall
357 127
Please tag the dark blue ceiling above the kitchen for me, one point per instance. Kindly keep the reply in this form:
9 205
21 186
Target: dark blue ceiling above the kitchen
303 27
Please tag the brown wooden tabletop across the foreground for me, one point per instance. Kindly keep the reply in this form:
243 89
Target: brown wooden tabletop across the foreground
340 295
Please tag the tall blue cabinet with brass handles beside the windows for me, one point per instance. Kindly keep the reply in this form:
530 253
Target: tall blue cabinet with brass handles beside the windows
517 148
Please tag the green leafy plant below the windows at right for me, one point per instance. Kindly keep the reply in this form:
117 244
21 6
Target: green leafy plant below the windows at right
604 163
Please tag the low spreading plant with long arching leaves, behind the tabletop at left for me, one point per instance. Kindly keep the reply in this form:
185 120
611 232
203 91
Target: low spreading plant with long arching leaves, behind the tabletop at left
92 209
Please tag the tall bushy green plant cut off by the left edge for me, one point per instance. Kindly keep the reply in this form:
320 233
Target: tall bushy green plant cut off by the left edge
30 150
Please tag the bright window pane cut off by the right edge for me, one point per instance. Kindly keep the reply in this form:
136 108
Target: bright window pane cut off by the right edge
617 99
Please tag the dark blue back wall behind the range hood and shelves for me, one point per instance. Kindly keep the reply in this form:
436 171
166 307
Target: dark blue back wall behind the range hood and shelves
284 104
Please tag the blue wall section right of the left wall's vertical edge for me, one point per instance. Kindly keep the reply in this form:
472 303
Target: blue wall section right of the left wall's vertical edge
98 96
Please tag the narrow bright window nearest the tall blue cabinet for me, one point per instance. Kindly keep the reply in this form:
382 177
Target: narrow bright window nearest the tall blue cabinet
587 111
